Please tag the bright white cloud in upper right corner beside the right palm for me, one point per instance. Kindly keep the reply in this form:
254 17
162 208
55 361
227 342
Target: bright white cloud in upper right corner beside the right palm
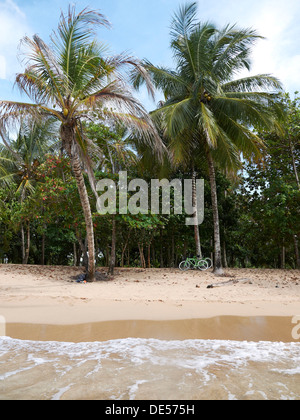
276 20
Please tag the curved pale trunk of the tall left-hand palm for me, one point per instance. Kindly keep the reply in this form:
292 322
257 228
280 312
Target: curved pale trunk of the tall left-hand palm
67 135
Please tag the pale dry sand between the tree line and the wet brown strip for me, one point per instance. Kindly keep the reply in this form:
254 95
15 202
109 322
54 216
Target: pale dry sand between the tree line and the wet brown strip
50 295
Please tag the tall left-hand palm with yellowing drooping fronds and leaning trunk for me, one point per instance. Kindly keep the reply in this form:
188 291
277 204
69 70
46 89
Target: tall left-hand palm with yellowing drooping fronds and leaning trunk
69 80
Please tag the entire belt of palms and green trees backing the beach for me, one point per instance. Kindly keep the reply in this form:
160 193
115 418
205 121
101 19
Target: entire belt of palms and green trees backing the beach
82 123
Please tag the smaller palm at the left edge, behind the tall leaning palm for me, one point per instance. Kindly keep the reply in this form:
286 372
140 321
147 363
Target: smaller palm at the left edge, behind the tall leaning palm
19 161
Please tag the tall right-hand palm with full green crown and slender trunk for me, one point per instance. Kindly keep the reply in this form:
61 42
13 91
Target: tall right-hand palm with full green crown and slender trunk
206 107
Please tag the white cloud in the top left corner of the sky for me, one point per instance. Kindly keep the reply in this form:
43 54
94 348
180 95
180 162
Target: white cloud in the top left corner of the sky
13 27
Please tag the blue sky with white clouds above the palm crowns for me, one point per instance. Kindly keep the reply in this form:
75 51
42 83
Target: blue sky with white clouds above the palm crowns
141 27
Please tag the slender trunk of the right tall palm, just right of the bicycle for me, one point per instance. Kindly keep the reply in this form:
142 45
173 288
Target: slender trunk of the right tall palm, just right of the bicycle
218 269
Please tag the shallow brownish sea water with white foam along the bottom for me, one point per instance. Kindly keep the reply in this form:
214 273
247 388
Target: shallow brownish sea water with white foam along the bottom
149 369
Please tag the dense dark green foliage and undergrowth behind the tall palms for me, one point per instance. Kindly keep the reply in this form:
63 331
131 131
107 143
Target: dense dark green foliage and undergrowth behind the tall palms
259 210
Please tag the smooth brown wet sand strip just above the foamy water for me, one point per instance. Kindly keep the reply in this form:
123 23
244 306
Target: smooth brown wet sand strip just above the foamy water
217 328
